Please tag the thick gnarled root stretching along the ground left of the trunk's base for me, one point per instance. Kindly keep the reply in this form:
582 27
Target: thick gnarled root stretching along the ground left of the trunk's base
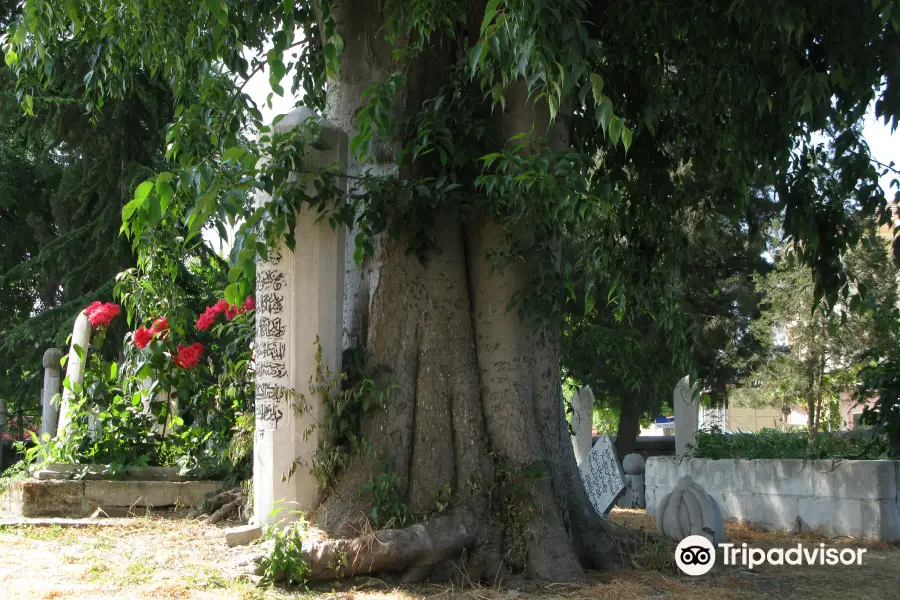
411 551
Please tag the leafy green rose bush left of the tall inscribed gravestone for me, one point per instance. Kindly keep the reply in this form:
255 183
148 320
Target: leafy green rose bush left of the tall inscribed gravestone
154 409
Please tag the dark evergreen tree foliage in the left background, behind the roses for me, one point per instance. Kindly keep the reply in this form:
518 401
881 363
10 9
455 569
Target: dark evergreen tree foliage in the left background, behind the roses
64 177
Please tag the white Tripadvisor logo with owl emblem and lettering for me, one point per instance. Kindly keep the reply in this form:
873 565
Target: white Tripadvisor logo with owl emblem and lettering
695 555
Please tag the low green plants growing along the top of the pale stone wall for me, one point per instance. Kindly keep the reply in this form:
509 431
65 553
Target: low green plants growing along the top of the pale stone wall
767 444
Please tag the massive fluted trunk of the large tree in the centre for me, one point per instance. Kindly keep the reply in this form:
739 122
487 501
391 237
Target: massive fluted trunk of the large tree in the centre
478 405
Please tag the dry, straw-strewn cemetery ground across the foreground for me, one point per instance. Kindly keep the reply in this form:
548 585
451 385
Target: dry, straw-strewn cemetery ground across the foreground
167 557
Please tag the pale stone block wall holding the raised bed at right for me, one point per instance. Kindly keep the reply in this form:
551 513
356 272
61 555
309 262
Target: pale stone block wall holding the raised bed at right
856 498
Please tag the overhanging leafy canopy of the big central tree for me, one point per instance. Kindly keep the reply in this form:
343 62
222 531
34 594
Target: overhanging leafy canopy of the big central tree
613 84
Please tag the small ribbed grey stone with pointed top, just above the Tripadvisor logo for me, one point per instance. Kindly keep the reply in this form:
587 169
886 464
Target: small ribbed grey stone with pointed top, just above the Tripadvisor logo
689 510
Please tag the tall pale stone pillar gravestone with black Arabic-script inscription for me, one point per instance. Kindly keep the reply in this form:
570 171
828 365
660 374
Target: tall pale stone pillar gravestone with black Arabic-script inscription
299 297
